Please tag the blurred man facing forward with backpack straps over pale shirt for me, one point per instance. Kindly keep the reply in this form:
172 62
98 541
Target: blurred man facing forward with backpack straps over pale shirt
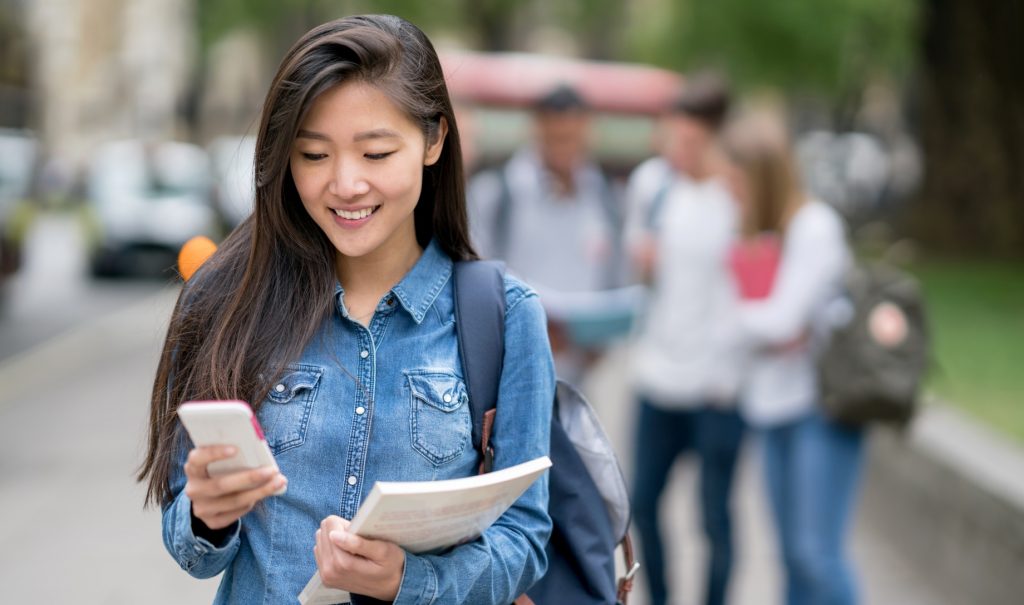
552 215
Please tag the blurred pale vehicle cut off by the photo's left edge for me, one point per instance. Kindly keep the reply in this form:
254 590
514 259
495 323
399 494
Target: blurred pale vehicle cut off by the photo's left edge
19 155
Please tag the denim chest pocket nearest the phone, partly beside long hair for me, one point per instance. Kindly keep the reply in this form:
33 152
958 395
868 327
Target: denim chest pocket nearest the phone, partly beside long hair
285 413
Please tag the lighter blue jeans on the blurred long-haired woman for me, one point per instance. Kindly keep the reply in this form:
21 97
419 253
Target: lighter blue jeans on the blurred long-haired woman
813 467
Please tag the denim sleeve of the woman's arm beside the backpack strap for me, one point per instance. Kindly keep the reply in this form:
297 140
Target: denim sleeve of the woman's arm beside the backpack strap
509 557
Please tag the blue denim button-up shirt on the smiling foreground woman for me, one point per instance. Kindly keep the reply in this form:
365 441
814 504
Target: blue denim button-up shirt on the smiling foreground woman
389 403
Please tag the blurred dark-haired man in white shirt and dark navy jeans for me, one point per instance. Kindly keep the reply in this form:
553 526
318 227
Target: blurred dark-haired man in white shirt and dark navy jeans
686 372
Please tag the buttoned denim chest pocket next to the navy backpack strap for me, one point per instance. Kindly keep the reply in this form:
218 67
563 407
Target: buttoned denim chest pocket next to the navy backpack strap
441 423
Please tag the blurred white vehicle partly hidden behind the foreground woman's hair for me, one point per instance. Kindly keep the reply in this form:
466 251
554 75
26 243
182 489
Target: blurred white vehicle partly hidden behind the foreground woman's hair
234 171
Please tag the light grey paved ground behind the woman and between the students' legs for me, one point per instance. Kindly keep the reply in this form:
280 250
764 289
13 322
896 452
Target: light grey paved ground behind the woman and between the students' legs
74 397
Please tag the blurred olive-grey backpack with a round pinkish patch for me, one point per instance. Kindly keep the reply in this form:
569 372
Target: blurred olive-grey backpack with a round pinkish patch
873 367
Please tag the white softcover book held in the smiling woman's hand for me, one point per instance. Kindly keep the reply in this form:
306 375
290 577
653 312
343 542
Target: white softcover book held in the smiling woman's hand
424 516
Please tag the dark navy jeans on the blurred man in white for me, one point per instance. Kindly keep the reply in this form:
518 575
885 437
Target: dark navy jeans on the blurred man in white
664 436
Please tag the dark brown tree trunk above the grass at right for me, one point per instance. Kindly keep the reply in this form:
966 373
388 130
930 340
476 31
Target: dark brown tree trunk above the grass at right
972 127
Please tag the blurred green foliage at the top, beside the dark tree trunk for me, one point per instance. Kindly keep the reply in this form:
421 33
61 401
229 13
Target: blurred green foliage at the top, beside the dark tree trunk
816 46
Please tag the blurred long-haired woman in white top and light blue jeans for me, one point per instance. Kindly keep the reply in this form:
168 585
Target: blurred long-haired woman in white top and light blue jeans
812 464
